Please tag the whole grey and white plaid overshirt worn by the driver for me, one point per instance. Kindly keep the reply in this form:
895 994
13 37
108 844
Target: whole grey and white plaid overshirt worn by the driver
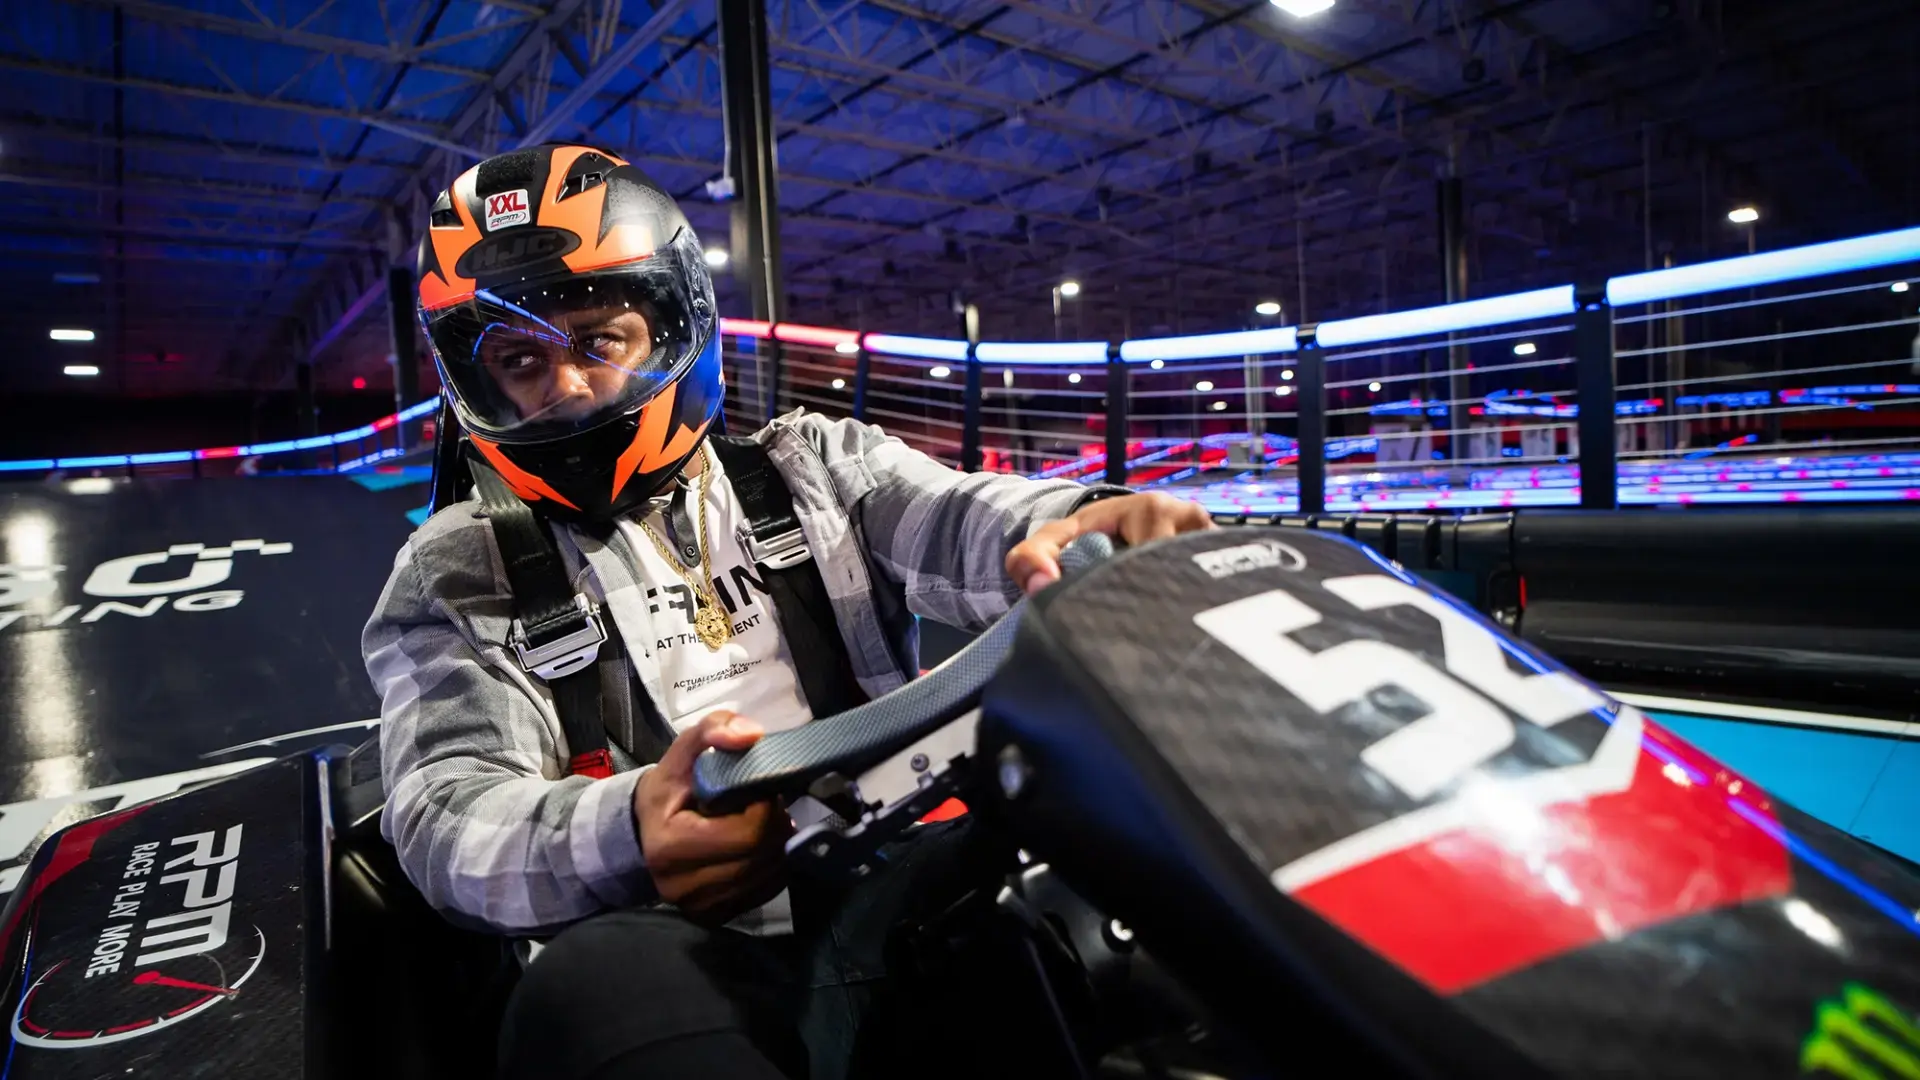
481 808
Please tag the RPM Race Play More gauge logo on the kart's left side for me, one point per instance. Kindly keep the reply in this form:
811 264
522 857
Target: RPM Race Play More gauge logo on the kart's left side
166 950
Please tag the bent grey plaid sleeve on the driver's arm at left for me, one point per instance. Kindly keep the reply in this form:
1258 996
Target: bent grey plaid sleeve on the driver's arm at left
477 800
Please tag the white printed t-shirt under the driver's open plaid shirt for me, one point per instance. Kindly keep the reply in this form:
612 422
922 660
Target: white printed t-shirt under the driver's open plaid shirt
754 674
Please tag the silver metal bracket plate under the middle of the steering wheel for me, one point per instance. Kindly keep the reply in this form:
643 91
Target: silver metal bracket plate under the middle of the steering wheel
840 823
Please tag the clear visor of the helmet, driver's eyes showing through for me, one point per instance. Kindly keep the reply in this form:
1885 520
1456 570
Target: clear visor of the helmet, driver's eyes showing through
552 358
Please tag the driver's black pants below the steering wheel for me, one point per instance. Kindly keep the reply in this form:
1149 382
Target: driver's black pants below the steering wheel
652 996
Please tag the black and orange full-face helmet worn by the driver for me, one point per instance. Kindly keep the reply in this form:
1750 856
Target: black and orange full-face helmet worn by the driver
573 320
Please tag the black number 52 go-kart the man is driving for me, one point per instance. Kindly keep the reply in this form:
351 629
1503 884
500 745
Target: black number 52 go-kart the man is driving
1270 808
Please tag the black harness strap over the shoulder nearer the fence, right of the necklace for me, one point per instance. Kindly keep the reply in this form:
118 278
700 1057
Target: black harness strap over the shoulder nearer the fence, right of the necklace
792 574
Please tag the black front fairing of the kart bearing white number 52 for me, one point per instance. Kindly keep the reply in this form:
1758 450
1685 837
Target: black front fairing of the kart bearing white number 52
1362 823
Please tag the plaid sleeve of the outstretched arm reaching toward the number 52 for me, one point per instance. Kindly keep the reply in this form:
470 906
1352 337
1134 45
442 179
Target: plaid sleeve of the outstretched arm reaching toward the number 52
940 533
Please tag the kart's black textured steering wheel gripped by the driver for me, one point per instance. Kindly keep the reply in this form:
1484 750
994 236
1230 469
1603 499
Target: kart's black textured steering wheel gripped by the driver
857 779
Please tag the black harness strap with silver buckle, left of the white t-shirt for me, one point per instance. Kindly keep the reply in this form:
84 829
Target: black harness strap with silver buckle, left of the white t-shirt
558 633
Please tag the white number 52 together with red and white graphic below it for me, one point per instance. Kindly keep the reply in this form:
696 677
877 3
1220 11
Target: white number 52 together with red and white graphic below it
1499 870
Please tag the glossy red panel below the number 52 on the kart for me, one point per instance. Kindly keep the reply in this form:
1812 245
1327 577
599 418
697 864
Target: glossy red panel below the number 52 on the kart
1506 893
